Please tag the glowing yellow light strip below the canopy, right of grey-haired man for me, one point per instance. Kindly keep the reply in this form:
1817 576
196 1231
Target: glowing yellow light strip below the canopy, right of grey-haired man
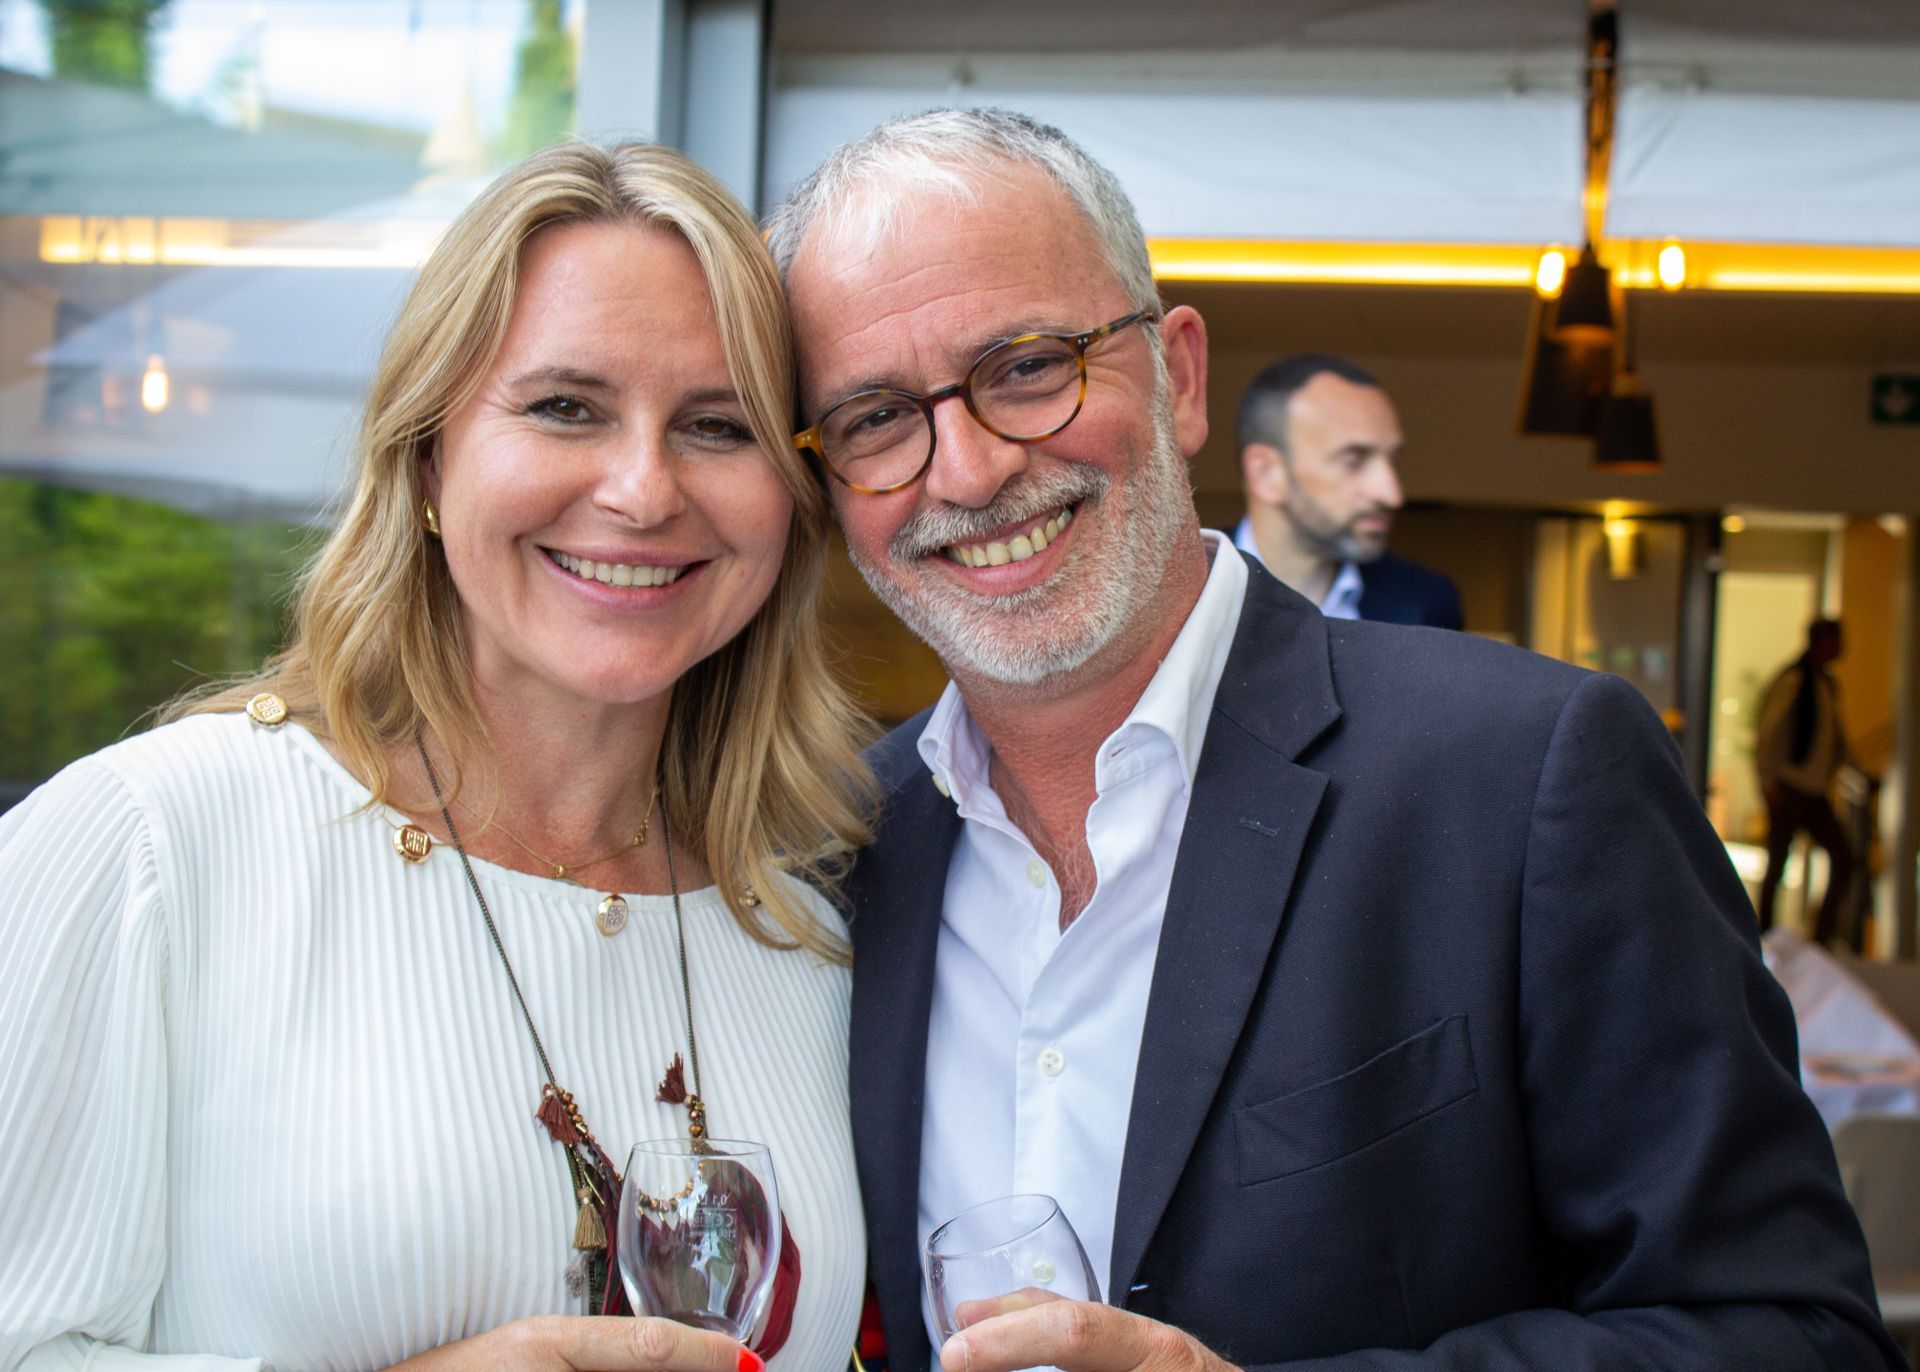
1744 268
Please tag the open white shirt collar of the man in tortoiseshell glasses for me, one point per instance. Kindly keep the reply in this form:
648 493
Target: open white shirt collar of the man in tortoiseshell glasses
1176 705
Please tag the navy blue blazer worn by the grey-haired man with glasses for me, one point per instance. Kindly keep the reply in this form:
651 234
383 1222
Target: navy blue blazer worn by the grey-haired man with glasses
1458 1054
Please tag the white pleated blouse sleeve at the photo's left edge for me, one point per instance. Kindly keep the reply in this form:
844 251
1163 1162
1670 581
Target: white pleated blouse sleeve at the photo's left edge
84 1081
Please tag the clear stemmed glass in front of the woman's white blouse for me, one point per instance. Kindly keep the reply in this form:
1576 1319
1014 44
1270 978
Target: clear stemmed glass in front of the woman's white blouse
700 1233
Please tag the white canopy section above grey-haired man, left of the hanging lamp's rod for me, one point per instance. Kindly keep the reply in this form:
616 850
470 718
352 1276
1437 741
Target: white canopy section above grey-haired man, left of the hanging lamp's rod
1426 120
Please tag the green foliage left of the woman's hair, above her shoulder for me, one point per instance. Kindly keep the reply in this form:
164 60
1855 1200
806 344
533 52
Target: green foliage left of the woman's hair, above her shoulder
110 607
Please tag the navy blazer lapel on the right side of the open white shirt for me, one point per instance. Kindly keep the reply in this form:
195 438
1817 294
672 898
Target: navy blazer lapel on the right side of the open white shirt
1247 826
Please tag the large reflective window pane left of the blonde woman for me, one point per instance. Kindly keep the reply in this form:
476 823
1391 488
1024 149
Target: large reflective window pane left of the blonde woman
208 216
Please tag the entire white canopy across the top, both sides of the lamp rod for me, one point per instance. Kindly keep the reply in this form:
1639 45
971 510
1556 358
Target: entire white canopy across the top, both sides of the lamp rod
1406 120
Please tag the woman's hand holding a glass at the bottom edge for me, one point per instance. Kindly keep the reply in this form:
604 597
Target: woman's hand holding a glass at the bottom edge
590 1344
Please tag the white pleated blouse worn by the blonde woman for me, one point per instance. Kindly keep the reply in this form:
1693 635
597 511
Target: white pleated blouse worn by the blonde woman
266 1097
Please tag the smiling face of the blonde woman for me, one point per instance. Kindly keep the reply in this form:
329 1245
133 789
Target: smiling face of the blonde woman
606 511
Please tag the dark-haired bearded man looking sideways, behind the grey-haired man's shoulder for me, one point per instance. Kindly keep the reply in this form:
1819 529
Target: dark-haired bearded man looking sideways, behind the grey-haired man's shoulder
1318 450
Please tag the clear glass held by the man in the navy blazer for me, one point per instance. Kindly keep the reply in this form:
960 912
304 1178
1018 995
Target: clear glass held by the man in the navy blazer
1013 1244
